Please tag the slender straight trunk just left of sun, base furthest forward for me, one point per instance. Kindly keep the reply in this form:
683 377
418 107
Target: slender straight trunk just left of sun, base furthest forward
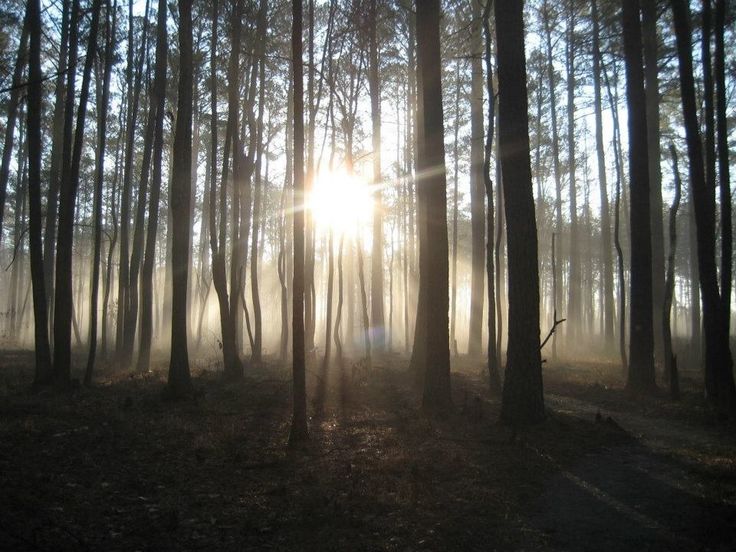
299 431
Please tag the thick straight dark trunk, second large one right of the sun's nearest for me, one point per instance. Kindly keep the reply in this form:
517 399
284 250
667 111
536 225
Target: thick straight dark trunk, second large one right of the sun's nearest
641 329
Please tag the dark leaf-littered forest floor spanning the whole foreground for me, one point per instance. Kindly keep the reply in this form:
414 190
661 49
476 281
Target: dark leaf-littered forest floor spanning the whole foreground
118 467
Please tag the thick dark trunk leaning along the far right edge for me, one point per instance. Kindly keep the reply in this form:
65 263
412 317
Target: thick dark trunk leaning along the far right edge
719 381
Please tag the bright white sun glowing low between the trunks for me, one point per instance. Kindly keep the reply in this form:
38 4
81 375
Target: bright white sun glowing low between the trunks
341 202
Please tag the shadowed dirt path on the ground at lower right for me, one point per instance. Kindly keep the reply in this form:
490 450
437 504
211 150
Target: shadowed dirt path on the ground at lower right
672 487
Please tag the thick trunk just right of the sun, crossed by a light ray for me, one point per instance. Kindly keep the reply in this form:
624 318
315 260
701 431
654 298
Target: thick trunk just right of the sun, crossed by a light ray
433 258
